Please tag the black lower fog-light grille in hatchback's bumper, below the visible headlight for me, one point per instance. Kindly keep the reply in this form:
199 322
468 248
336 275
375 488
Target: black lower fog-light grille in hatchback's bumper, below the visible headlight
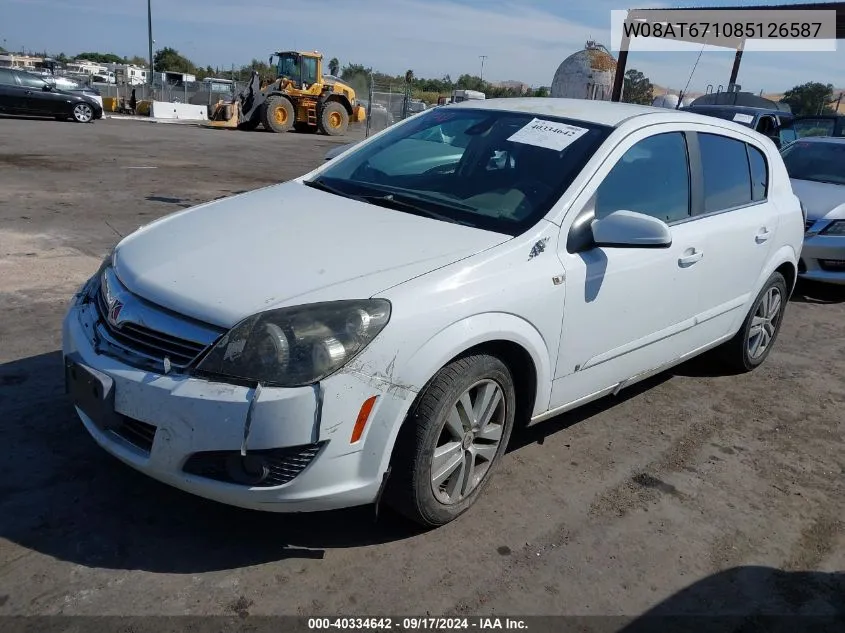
264 468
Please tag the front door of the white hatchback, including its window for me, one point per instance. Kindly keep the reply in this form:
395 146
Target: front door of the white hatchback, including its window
629 309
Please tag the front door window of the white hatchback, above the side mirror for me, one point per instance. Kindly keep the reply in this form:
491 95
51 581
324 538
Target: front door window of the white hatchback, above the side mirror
652 177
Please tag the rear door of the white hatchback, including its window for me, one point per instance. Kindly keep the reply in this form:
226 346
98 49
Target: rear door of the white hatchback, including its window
737 221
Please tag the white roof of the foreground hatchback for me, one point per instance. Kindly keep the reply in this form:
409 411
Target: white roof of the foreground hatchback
608 113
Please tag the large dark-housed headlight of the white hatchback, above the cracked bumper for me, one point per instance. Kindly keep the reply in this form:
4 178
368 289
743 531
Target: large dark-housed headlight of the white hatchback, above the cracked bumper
292 347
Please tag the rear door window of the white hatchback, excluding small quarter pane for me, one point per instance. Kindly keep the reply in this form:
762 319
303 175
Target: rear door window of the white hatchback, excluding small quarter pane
727 180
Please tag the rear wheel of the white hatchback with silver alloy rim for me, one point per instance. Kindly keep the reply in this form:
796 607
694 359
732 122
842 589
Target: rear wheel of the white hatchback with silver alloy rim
743 352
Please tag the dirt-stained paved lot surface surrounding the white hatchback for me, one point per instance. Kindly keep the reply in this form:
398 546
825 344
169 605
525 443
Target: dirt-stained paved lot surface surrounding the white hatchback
695 492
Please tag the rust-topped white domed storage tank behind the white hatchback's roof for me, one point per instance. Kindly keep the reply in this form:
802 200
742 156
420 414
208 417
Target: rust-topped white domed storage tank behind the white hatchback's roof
587 74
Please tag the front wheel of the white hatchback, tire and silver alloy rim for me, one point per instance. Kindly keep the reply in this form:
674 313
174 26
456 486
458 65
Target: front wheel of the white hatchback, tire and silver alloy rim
435 422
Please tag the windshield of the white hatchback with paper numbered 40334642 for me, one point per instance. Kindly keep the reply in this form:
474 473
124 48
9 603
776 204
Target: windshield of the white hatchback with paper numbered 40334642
499 171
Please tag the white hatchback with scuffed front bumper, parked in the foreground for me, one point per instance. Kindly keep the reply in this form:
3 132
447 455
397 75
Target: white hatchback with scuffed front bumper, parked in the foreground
380 324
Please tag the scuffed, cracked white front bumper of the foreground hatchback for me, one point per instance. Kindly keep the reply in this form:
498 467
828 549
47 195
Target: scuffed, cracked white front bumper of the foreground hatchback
158 424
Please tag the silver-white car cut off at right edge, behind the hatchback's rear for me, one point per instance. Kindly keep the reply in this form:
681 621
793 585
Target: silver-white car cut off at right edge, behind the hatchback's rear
816 165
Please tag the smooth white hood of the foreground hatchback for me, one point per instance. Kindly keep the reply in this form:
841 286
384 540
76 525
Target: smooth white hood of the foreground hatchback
284 245
